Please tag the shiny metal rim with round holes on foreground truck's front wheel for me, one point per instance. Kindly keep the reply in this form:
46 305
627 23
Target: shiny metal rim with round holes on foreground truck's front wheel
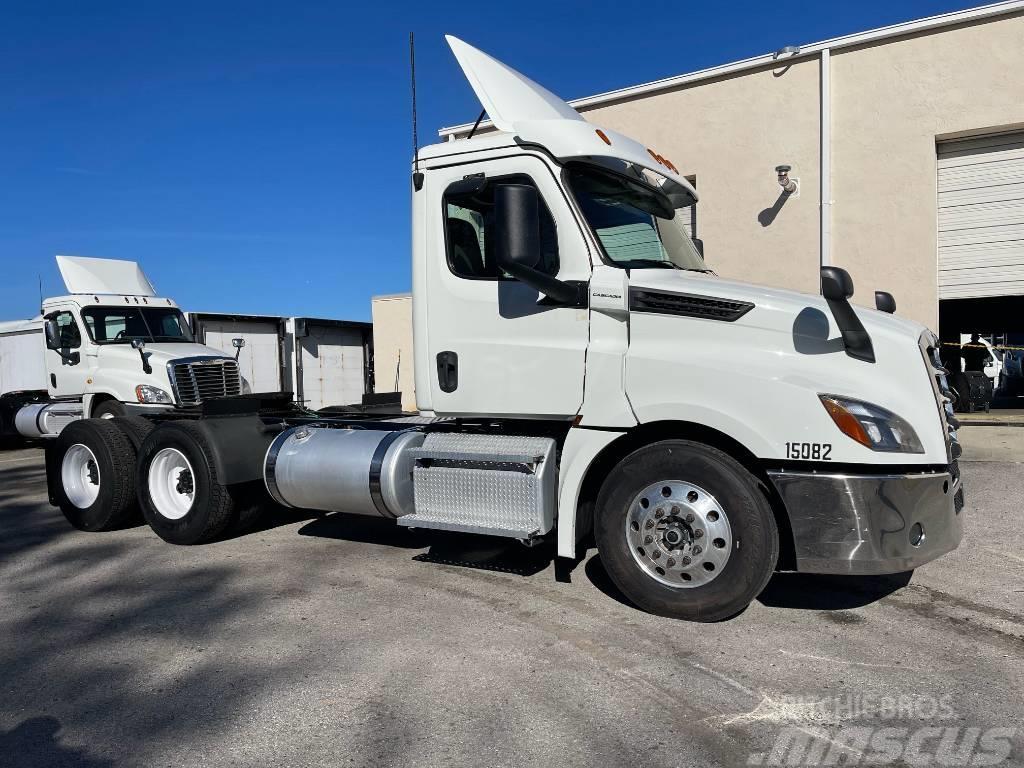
679 534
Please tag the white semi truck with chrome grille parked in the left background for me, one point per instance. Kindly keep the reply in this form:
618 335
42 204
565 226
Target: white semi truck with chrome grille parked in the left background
111 348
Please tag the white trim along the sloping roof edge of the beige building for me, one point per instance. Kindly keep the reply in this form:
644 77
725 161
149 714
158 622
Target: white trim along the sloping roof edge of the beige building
897 30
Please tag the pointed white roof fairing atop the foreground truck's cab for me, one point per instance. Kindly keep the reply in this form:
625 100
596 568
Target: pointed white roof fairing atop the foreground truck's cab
518 105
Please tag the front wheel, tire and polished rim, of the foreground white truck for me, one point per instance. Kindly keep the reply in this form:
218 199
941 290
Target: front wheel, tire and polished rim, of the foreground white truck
685 531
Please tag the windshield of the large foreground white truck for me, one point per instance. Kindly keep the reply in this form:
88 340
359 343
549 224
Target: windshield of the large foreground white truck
634 222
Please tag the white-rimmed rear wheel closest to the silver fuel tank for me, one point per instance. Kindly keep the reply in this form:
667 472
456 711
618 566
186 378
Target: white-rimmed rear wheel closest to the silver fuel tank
179 491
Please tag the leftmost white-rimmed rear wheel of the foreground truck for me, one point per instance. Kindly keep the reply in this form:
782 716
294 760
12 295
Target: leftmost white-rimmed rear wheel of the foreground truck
94 478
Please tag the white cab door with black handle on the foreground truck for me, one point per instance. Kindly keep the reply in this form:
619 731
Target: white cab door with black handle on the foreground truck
497 347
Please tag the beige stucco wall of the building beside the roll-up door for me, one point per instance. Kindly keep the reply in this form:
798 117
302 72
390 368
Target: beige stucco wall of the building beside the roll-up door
890 103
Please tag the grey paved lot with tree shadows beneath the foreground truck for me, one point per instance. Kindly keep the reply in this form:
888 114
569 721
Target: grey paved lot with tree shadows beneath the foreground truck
338 641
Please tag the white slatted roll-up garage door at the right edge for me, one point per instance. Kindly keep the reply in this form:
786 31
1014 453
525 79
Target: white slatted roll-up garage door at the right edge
982 218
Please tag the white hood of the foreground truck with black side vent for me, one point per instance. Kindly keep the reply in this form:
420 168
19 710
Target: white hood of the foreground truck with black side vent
758 377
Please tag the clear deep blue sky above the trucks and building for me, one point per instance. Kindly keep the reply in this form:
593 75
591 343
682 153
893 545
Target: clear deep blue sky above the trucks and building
254 157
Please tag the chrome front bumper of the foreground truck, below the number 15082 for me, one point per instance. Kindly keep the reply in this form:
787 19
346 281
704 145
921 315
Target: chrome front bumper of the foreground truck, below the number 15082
866 525
